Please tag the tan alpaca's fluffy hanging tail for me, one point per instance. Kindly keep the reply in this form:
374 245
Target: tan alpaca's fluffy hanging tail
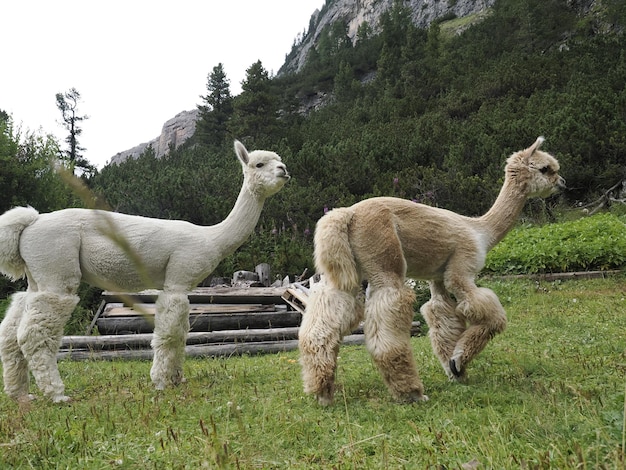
333 252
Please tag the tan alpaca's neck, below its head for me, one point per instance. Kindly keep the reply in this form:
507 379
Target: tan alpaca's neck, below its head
503 215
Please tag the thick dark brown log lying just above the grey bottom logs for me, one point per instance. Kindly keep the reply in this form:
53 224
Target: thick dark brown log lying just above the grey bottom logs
202 322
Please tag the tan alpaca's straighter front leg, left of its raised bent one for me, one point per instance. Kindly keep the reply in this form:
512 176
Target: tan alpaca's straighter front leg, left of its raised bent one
445 326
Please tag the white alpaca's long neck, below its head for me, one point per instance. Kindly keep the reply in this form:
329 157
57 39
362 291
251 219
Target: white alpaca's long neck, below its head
235 229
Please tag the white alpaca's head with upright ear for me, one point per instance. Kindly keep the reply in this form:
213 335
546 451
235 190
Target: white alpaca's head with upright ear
264 172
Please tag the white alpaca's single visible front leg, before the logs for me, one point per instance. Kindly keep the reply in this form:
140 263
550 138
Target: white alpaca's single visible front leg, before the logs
171 325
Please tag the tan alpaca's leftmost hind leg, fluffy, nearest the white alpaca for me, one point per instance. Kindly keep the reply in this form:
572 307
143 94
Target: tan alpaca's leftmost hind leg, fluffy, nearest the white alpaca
329 315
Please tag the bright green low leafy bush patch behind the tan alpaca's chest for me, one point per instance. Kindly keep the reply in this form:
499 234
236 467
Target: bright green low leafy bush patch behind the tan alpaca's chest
591 243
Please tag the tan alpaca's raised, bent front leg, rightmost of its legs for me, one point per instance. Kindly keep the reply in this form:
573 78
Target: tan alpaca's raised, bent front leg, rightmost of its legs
482 309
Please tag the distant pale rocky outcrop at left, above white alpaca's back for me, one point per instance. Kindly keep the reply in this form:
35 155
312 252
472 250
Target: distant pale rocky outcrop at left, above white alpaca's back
173 134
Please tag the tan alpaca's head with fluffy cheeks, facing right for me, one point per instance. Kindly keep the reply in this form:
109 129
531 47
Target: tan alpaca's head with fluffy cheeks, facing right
535 171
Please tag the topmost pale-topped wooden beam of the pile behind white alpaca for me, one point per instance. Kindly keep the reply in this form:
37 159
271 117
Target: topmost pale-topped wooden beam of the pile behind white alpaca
208 295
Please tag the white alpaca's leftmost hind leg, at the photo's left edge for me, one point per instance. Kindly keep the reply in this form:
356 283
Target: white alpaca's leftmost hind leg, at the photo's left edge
14 365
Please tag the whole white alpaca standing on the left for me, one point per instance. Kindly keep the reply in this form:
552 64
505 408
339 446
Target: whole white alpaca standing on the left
56 251
